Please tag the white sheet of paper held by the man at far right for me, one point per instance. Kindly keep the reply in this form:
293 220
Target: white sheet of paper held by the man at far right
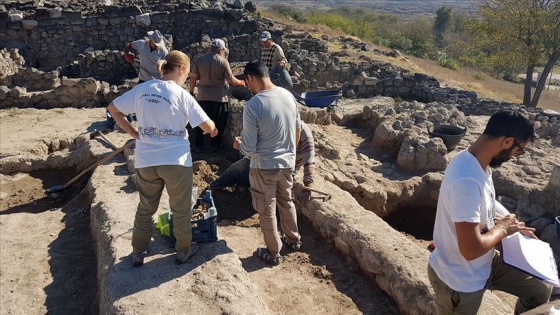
532 256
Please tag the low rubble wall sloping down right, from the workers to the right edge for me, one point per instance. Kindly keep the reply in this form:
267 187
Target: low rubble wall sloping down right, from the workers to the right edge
319 70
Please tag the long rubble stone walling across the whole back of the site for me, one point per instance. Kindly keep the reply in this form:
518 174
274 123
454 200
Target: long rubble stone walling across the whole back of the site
92 42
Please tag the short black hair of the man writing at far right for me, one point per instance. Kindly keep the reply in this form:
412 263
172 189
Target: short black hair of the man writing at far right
510 123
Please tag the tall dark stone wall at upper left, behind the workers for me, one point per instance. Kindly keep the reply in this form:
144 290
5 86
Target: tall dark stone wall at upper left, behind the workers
52 37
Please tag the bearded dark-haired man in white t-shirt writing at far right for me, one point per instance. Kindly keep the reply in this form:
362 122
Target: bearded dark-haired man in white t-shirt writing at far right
470 222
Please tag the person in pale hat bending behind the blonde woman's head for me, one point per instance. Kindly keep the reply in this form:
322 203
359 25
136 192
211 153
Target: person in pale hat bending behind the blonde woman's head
150 50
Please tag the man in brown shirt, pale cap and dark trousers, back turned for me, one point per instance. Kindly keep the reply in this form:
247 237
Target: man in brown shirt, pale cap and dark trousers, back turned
213 72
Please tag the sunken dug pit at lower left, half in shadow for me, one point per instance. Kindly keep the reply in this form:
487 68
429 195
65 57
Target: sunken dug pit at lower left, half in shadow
62 246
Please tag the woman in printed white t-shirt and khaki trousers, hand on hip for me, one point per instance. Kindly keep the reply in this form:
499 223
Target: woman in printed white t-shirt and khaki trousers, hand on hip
162 155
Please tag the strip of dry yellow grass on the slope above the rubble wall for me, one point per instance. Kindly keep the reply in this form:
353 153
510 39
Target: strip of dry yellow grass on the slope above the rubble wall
465 79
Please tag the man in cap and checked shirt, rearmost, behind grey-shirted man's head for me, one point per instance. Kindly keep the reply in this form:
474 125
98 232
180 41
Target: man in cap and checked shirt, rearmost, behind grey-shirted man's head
273 57
